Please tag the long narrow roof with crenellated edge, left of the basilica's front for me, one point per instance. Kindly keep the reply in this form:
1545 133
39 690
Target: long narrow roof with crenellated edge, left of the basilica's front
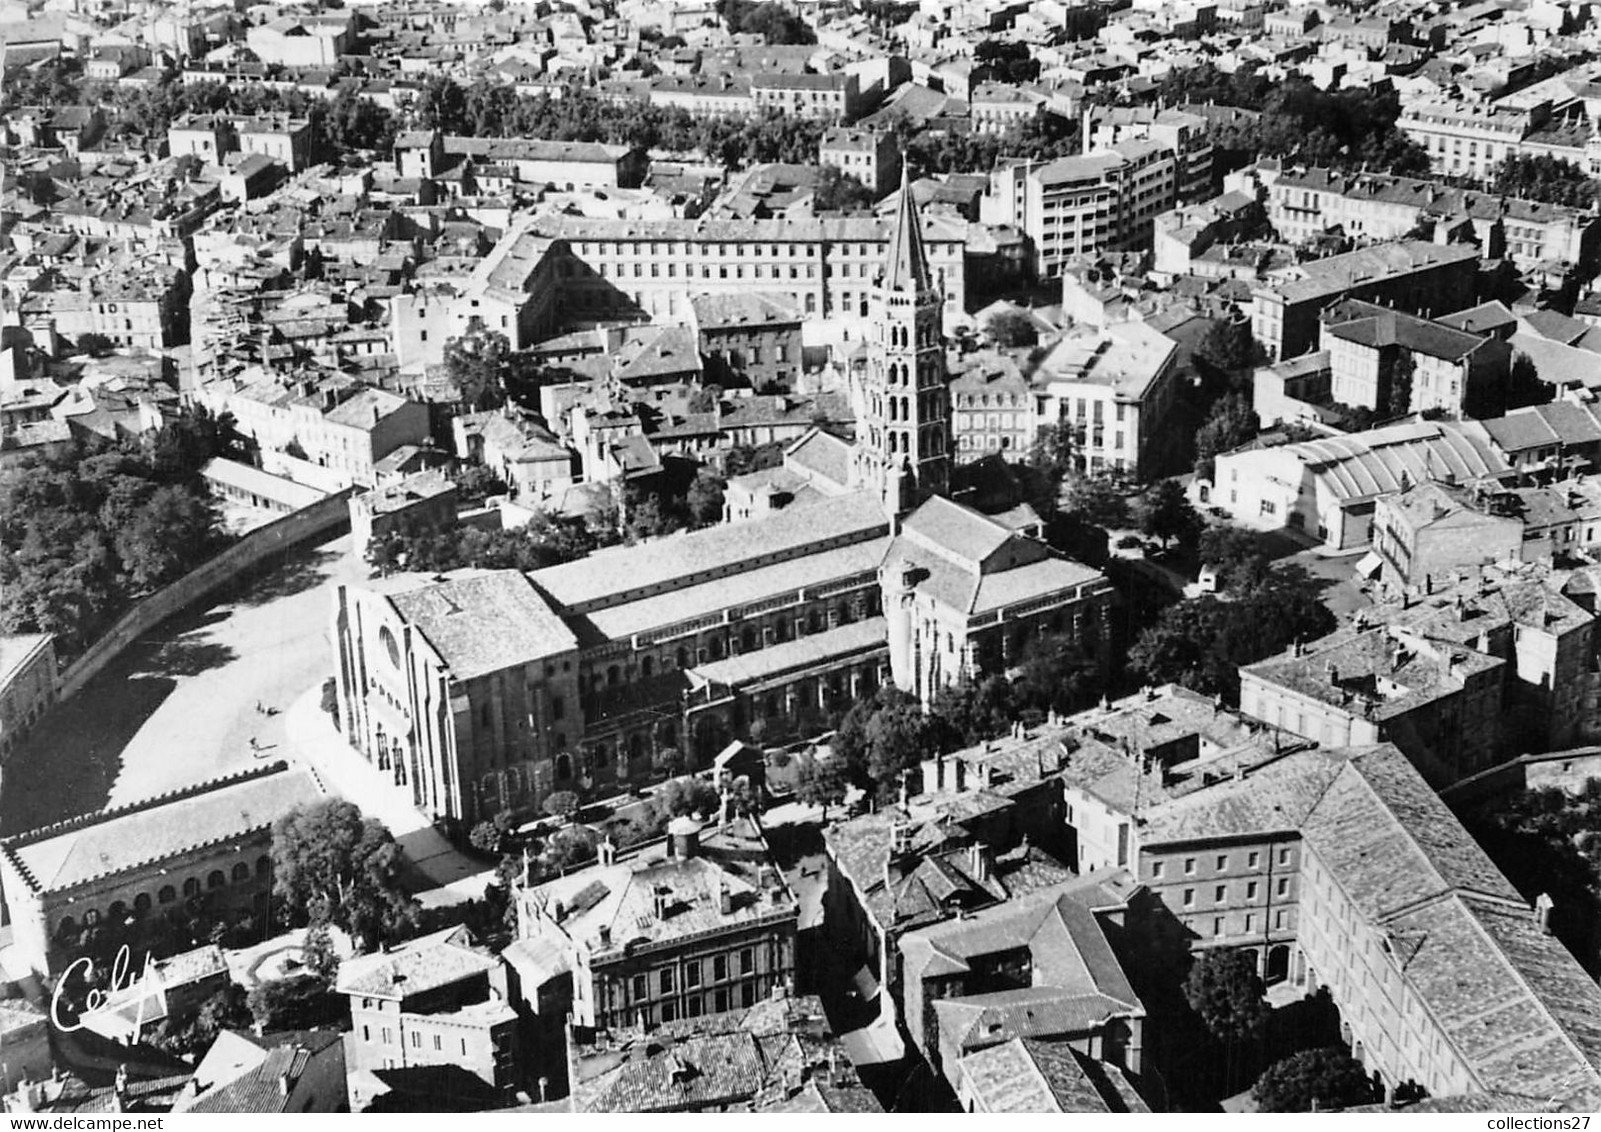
103 845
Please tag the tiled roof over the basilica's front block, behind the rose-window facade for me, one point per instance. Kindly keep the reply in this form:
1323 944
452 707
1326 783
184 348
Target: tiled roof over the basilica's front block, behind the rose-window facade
481 622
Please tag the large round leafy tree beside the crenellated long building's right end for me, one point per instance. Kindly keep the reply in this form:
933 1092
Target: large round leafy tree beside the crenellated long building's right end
335 867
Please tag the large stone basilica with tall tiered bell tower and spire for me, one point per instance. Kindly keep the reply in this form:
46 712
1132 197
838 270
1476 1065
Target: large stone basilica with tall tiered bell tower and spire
851 566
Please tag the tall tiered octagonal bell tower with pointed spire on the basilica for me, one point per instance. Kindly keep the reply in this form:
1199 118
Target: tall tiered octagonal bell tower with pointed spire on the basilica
904 401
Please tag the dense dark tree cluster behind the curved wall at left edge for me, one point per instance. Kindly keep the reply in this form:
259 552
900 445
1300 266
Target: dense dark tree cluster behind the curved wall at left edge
84 536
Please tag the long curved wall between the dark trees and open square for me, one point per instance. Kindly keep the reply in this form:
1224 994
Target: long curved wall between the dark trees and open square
321 520
